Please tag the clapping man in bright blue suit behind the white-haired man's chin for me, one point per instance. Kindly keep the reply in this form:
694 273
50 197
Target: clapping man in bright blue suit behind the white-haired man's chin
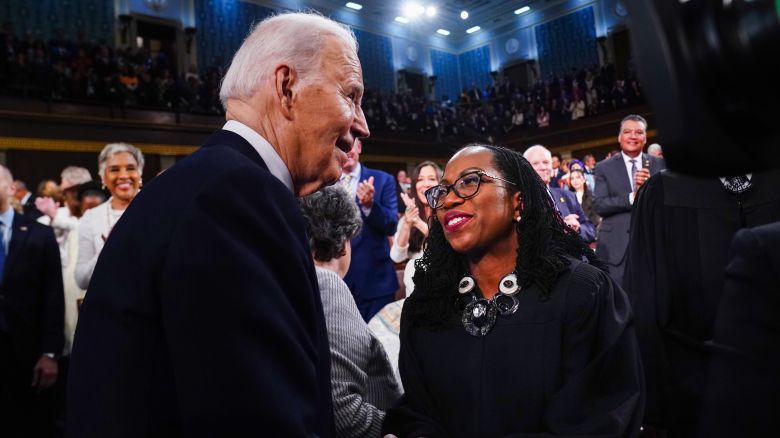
371 276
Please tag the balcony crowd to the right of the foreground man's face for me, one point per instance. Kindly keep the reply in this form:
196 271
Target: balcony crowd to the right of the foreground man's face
485 114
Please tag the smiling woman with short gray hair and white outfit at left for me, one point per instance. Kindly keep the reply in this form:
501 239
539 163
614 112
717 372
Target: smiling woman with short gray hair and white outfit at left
120 166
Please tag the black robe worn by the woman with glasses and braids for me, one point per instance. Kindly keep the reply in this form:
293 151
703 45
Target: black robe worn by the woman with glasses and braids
566 366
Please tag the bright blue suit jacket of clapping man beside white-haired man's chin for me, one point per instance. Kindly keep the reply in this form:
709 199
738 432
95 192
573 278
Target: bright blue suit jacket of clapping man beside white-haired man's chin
372 273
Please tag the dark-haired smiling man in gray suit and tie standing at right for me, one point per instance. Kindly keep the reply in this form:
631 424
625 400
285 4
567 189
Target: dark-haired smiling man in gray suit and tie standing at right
617 181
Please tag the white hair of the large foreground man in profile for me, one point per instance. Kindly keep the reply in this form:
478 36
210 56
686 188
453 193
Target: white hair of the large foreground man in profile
294 38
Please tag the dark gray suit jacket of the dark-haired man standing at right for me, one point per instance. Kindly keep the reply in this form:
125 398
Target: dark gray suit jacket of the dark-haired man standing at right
611 201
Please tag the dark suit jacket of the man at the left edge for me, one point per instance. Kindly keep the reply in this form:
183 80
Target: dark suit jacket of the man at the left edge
31 294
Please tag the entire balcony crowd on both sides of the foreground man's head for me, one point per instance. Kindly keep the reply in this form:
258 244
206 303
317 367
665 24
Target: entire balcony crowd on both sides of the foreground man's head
86 71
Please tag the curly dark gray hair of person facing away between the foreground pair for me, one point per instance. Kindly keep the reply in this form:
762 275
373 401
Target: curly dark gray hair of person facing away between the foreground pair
331 218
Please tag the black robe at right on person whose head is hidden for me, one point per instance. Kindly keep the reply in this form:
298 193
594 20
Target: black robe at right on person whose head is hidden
681 231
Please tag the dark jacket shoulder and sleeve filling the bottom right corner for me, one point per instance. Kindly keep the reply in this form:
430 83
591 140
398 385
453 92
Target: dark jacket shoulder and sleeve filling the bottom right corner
743 391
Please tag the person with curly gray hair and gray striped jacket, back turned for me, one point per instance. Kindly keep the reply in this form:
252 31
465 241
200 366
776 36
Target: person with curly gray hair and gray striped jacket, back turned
362 378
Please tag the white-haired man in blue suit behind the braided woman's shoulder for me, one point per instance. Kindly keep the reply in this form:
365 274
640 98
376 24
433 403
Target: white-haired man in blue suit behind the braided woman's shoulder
565 201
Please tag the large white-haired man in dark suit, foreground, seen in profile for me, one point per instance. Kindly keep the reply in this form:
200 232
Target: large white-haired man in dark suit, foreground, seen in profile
203 316
